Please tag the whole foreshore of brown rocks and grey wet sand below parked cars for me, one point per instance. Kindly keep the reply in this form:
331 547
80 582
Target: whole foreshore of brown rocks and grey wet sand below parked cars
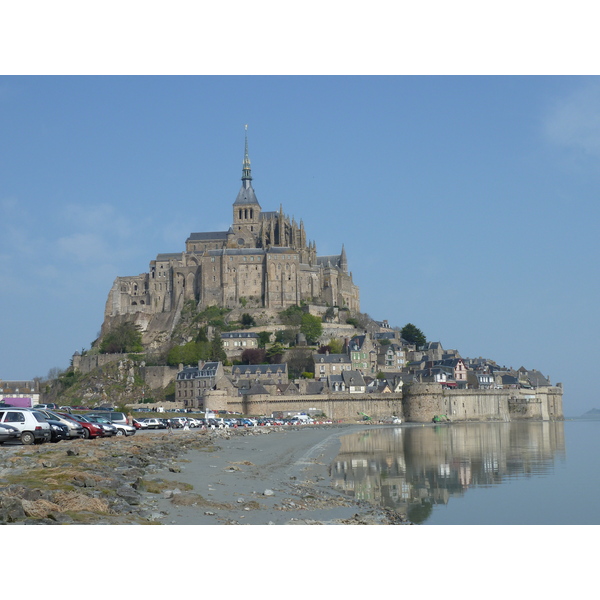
260 476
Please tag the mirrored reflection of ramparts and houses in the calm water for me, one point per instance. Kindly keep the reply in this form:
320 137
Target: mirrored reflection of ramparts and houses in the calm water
411 468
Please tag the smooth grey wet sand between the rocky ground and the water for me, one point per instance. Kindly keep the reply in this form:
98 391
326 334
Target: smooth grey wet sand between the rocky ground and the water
275 478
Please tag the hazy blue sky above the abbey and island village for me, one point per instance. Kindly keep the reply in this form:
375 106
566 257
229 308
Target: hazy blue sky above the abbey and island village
467 205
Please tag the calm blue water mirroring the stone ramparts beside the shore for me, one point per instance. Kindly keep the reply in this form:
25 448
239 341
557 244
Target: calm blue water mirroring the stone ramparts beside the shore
524 473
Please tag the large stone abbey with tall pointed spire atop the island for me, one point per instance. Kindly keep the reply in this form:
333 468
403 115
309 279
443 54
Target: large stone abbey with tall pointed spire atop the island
263 261
